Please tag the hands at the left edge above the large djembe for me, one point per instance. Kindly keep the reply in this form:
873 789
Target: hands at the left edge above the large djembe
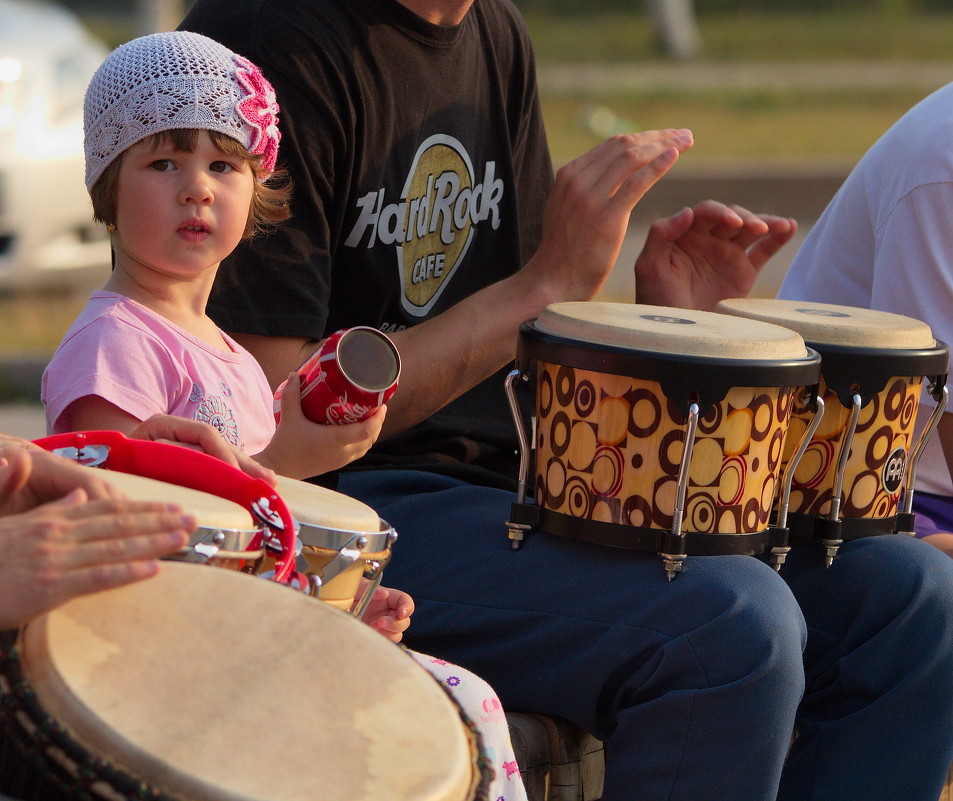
85 541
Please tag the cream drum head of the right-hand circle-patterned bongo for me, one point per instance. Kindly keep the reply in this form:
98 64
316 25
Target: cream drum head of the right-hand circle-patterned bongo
829 324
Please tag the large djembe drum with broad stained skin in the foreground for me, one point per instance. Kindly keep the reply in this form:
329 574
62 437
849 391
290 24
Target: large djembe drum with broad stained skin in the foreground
211 685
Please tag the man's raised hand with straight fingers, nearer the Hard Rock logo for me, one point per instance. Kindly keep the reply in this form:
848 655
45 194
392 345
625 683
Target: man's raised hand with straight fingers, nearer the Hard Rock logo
587 213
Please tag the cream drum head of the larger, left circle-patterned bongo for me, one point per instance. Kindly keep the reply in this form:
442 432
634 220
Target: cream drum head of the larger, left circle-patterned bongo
663 329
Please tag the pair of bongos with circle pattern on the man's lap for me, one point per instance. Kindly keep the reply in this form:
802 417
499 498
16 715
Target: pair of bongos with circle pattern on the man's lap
682 432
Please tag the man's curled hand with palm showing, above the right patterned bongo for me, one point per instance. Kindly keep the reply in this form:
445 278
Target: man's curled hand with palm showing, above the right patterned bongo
707 253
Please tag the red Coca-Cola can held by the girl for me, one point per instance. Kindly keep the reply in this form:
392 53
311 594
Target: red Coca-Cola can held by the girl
353 373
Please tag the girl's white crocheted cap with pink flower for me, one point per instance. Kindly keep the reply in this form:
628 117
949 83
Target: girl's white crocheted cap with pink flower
166 81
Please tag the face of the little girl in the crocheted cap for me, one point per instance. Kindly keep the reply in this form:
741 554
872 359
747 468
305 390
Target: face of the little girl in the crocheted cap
179 213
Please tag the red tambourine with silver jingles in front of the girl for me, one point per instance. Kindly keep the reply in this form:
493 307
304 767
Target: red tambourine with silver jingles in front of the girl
185 467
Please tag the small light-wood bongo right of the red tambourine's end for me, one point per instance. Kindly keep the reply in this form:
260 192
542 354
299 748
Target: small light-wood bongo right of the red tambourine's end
342 540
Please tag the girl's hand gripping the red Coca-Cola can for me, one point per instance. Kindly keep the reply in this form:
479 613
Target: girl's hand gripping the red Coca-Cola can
301 448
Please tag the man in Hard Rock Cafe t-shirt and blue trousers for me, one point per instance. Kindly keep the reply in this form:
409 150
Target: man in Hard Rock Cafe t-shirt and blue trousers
425 205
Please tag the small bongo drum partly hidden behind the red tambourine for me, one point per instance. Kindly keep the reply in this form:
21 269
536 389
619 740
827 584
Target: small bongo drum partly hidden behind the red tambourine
226 536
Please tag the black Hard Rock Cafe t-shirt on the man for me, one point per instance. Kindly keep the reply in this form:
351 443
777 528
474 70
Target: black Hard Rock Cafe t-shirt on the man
420 171
